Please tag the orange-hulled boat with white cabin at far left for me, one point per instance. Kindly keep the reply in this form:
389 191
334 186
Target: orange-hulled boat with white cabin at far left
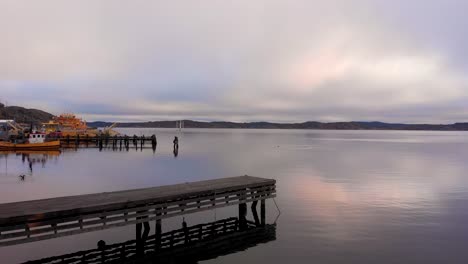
35 141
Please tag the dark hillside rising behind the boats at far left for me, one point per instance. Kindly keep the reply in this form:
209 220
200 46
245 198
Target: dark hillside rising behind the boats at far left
24 115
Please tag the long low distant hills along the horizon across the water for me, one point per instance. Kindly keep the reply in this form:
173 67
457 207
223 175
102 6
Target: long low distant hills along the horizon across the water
304 125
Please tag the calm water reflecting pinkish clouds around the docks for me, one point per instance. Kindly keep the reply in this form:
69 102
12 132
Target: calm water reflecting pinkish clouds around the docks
345 196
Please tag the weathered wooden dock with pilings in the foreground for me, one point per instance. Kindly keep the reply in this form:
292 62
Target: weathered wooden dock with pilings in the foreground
28 221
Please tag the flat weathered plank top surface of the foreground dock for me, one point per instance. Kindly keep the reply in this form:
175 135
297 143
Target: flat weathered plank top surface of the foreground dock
72 205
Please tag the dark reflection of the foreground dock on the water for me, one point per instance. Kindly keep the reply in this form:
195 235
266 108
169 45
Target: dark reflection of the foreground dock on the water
189 244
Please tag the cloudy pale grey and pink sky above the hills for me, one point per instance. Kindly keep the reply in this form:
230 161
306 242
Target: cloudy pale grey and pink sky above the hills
243 60
